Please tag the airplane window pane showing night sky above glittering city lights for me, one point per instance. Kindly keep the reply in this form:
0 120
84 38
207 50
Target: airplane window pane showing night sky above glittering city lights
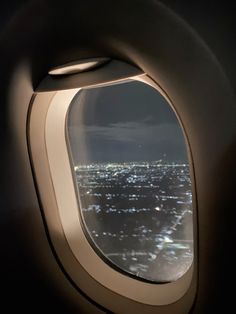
131 169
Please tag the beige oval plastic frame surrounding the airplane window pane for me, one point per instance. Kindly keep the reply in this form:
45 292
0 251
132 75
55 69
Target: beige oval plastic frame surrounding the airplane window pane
49 153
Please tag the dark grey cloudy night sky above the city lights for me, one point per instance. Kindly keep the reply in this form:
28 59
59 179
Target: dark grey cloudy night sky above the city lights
123 122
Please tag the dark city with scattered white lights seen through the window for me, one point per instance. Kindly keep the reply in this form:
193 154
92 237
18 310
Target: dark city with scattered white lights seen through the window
139 216
